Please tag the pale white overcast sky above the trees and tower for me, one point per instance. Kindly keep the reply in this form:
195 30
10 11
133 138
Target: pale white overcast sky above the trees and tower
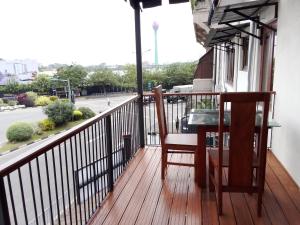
90 32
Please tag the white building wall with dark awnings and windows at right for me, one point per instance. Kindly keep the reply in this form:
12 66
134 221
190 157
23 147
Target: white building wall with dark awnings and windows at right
256 48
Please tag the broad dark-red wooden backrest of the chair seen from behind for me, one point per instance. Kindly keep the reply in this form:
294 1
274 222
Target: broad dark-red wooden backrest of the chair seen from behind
244 119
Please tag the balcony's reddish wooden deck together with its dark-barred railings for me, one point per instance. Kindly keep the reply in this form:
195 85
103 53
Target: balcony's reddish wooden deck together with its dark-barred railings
96 173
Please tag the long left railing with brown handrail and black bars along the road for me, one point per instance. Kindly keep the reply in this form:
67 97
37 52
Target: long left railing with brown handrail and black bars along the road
65 179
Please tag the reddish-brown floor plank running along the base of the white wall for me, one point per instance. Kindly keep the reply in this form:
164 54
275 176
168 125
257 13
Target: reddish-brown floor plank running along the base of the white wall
288 184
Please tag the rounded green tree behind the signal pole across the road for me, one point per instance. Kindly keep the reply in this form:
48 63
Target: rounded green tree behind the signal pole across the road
75 73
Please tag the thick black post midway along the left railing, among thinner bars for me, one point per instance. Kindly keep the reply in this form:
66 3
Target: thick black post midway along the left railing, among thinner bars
110 169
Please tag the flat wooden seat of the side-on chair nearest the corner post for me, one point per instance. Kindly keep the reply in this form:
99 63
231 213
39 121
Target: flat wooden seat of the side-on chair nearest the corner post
188 140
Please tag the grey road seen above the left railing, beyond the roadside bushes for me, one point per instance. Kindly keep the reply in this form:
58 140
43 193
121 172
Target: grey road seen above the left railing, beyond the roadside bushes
32 115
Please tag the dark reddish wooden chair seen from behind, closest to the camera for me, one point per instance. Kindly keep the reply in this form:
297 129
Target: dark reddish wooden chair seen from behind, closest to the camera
241 158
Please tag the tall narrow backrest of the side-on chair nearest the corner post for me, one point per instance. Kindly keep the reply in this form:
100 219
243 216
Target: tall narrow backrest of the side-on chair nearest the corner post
159 100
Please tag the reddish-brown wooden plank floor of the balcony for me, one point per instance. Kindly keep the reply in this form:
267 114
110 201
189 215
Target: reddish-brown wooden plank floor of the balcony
141 197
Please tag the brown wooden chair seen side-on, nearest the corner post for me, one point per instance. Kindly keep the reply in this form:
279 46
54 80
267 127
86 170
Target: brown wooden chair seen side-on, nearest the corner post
172 143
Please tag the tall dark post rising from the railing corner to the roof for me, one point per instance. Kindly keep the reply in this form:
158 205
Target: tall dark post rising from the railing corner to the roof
139 71
